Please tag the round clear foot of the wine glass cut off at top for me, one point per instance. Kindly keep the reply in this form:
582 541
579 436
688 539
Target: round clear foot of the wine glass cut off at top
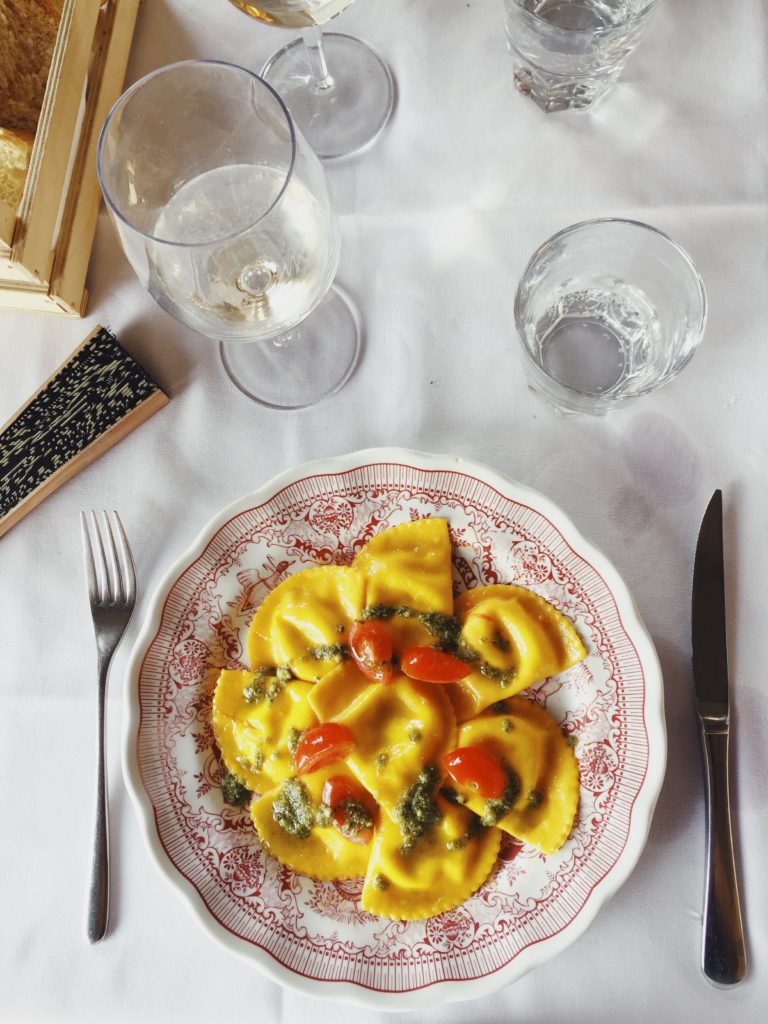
350 115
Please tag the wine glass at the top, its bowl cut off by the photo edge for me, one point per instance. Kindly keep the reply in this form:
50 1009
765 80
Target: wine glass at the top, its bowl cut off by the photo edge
339 92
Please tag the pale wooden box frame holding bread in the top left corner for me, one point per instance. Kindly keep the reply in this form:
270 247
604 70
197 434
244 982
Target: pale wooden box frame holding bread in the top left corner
46 245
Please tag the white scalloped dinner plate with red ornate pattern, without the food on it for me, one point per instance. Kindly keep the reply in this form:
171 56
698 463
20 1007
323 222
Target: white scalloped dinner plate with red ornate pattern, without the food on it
314 936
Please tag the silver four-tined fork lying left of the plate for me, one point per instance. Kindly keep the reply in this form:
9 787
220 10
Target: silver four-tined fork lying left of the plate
112 592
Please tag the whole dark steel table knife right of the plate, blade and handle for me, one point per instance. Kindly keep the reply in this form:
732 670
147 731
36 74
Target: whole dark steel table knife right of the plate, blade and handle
723 955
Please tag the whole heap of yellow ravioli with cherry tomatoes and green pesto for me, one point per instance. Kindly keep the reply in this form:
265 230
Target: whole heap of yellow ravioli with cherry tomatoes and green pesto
329 729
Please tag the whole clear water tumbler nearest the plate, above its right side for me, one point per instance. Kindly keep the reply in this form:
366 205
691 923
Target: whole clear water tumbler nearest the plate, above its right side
608 311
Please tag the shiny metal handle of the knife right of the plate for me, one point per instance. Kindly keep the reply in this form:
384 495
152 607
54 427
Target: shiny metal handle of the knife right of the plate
723 957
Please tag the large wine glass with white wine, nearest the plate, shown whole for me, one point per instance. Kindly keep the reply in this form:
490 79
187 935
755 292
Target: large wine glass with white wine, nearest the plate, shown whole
223 210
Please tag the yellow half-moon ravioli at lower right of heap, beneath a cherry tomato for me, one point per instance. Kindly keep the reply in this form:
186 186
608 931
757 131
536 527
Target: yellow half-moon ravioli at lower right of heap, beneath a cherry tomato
529 742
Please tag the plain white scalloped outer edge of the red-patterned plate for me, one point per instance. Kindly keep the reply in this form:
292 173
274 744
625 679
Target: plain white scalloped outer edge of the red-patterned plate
374 992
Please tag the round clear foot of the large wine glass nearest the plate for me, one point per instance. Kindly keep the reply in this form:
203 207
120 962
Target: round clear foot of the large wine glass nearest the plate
300 369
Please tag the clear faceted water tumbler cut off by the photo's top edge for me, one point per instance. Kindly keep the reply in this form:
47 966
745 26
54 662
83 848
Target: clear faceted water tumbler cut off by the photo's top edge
568 54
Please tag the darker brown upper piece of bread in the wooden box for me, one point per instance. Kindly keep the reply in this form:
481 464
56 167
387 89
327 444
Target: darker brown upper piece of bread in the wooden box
28 32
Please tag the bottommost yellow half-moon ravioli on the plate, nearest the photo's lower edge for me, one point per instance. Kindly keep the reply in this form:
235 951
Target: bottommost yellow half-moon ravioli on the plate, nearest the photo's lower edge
444 869
